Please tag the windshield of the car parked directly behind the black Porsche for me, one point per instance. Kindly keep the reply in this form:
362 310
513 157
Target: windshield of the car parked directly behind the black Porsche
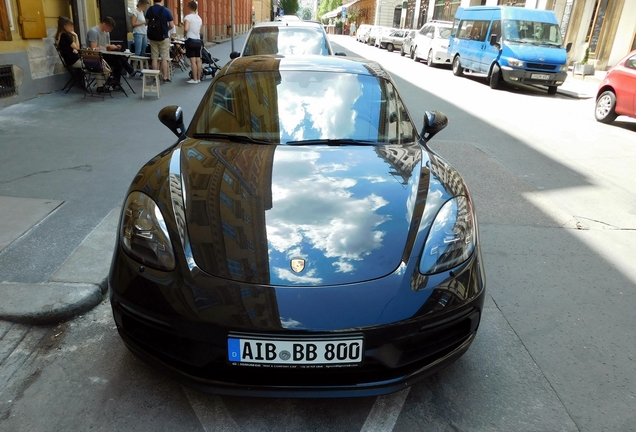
286 41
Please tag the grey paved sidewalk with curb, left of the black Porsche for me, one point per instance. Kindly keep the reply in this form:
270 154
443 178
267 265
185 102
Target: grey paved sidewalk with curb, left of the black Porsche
55 253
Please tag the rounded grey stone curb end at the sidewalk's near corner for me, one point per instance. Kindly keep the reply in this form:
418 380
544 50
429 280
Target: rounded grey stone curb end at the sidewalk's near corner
54 302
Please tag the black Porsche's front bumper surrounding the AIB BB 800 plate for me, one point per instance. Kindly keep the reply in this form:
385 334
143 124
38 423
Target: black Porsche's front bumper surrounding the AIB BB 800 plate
153 324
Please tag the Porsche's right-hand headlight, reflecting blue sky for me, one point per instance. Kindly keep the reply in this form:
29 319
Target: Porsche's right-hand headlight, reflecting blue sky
451 240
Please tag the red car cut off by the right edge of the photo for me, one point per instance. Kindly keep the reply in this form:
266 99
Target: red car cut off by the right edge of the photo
617 93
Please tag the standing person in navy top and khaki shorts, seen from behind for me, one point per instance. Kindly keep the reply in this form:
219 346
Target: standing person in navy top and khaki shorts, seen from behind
160 22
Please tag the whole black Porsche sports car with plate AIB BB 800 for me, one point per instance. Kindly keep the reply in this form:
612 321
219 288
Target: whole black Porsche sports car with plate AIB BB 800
300 239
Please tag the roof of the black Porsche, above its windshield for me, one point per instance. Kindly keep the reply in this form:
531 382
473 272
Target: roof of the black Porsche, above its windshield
277 63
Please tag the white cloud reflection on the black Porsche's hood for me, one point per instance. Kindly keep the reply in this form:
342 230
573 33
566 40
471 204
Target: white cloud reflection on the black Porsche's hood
320 211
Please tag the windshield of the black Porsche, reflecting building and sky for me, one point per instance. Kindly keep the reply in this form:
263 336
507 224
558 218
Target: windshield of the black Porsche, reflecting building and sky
277 107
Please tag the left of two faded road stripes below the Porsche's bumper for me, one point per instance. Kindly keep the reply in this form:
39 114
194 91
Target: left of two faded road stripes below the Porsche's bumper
211 412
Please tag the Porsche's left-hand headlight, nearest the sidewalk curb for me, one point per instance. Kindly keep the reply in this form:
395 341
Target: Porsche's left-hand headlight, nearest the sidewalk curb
143 233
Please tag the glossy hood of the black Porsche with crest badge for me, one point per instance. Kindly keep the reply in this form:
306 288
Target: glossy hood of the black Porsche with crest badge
342 212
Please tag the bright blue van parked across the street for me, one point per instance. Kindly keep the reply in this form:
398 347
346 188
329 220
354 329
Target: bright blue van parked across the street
512 44
